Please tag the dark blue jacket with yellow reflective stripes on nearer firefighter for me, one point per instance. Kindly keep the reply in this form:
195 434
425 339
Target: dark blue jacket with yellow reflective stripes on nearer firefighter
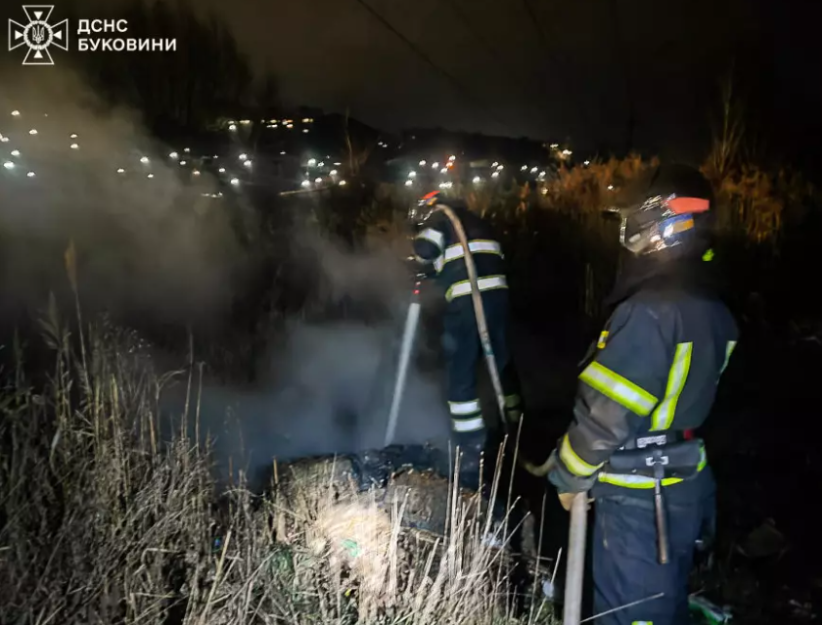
655 368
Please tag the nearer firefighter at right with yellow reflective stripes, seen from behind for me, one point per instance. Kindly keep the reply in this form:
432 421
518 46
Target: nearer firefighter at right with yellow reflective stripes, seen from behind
649 381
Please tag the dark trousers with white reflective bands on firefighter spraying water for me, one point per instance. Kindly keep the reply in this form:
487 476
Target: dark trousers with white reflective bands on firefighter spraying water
463 354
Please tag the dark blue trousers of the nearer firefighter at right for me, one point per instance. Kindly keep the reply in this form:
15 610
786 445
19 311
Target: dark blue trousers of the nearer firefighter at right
625 564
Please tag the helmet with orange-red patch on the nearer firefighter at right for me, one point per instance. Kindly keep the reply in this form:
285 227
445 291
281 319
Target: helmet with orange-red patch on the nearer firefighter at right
673 211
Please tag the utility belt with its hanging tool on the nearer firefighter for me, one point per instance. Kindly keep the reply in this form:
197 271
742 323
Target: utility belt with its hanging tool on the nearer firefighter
653 461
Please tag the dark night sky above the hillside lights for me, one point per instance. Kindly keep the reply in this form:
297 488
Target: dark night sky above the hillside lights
594 63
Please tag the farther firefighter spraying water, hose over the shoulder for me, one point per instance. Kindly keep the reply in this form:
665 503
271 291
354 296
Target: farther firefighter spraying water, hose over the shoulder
439 252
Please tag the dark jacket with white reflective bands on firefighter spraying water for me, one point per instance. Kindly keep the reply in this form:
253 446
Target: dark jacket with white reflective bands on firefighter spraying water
438 248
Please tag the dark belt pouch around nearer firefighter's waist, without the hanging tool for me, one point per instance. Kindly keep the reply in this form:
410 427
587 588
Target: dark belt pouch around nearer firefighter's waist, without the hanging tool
660 456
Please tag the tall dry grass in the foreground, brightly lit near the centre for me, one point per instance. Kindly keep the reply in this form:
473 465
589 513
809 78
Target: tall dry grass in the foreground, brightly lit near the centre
103 521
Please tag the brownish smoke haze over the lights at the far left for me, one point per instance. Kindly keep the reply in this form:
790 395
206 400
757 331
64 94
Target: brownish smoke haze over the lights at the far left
147 233
